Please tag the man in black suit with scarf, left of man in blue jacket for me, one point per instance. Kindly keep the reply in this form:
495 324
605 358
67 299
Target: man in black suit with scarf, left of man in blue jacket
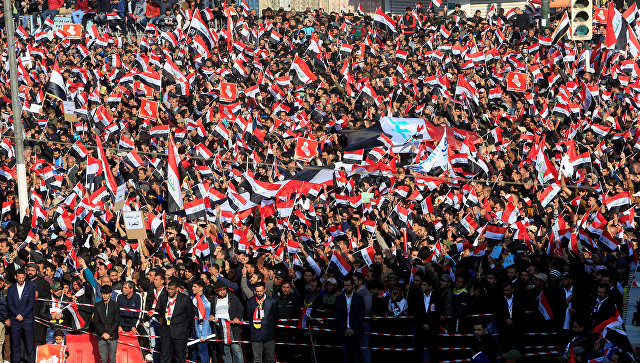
175 314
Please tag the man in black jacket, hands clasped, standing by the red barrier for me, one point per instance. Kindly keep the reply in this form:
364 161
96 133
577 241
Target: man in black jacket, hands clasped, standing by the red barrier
106 320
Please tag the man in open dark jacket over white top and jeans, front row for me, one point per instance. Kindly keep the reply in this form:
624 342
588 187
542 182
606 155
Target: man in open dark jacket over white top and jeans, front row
226 307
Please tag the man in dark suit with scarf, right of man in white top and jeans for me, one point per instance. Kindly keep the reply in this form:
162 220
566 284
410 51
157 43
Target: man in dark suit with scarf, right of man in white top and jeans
263 317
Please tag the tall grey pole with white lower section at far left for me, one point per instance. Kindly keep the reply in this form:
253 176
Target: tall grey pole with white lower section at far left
16 108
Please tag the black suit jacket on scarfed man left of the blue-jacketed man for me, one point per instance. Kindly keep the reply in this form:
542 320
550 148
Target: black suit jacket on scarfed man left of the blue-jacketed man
181 319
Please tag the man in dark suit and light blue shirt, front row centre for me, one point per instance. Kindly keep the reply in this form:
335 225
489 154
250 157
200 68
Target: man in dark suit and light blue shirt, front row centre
350 321
